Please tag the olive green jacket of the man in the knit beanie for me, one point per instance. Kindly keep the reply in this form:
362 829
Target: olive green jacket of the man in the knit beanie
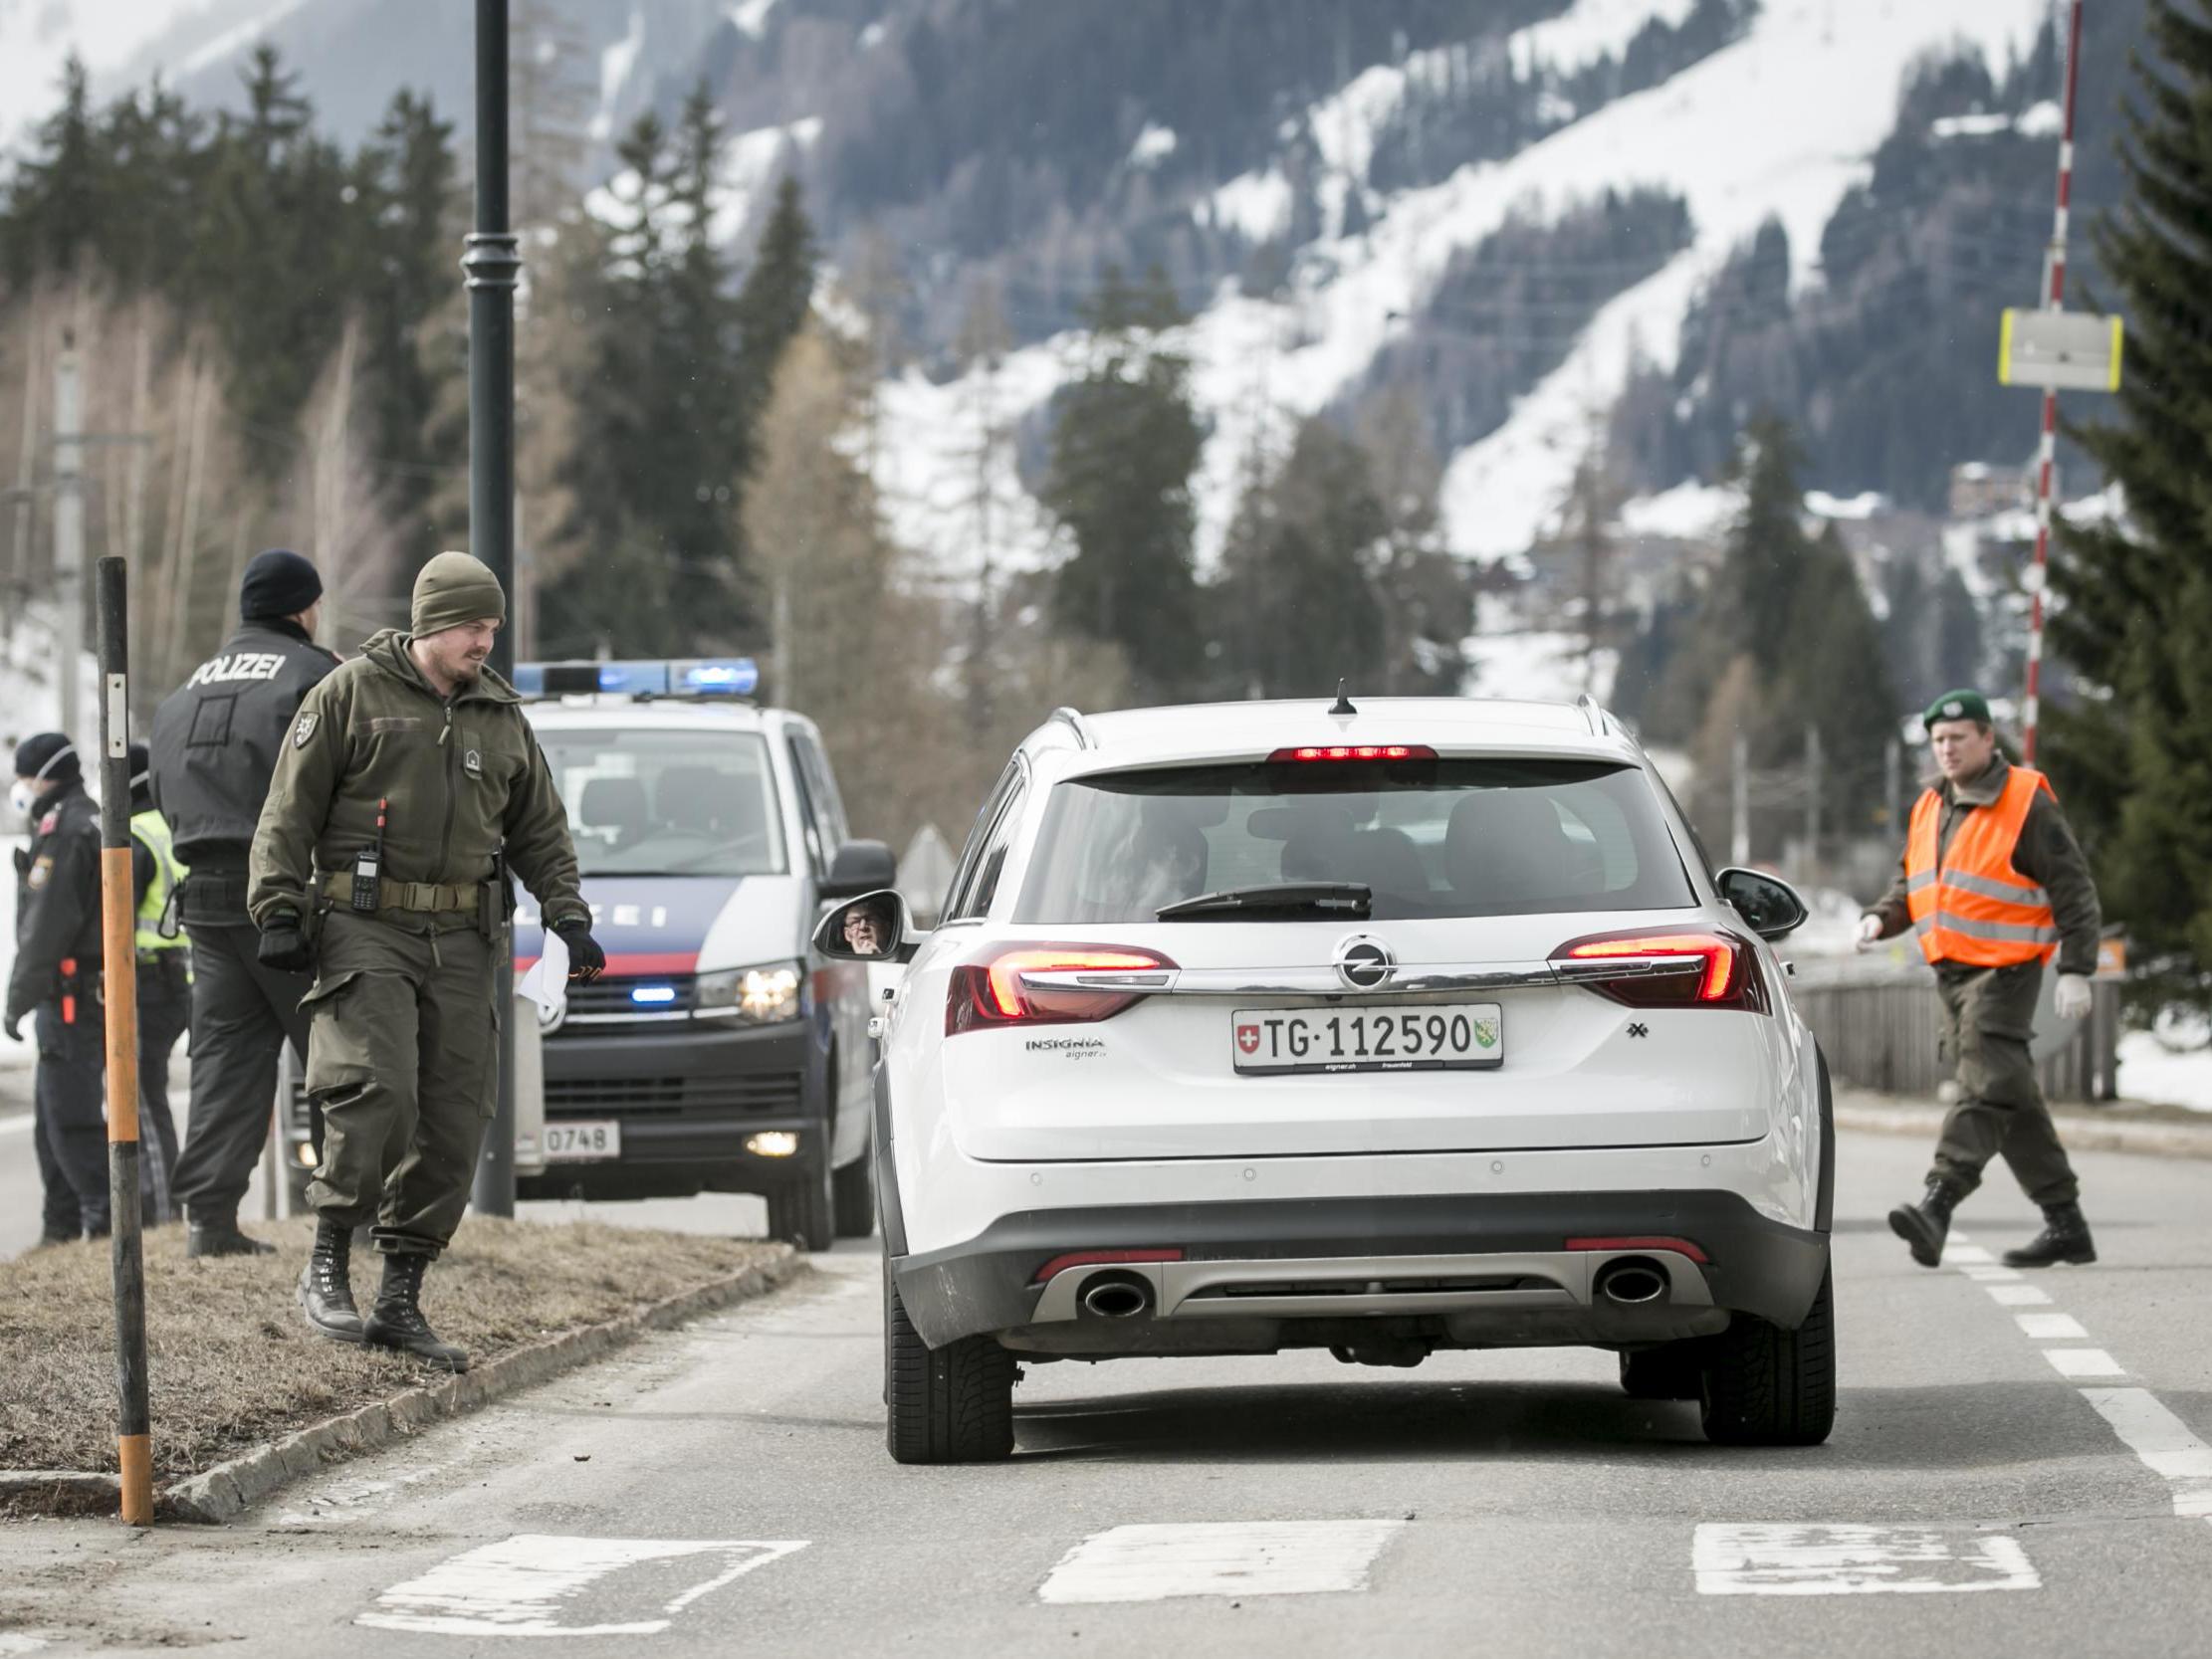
463 778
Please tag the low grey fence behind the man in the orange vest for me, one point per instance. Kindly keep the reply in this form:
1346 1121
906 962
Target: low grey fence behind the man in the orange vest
1881 1025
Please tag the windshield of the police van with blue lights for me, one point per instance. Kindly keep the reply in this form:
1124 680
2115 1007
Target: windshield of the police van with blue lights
654 802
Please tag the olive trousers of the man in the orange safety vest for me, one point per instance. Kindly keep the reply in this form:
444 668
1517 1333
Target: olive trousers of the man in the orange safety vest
1990 1019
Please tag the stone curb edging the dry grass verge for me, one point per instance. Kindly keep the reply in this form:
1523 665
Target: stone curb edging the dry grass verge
231 1488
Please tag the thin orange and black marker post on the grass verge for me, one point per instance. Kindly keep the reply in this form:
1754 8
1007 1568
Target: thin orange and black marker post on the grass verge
118 932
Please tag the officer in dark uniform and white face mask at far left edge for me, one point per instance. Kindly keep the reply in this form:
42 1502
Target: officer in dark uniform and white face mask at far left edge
56 981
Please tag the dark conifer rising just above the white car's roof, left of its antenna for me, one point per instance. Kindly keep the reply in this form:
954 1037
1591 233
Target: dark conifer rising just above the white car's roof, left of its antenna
1125 448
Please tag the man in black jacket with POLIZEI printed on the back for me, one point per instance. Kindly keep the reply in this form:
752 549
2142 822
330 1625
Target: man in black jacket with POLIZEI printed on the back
216 744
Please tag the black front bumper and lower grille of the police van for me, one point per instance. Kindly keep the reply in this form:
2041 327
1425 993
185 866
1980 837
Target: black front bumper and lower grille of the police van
687 1105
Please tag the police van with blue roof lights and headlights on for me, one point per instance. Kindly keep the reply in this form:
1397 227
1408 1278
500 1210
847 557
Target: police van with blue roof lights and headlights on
718 1054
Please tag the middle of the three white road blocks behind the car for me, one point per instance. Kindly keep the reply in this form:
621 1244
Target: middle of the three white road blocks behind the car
1220 1558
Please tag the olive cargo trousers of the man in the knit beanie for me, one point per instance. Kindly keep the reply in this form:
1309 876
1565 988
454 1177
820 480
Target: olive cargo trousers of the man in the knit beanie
404 1063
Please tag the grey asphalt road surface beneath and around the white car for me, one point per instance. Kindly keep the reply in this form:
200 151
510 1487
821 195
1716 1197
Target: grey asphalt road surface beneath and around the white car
2018 1470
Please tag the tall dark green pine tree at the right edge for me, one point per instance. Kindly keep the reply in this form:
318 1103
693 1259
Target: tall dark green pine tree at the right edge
2133 760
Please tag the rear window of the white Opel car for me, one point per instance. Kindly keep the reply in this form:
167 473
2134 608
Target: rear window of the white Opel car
1426 837
